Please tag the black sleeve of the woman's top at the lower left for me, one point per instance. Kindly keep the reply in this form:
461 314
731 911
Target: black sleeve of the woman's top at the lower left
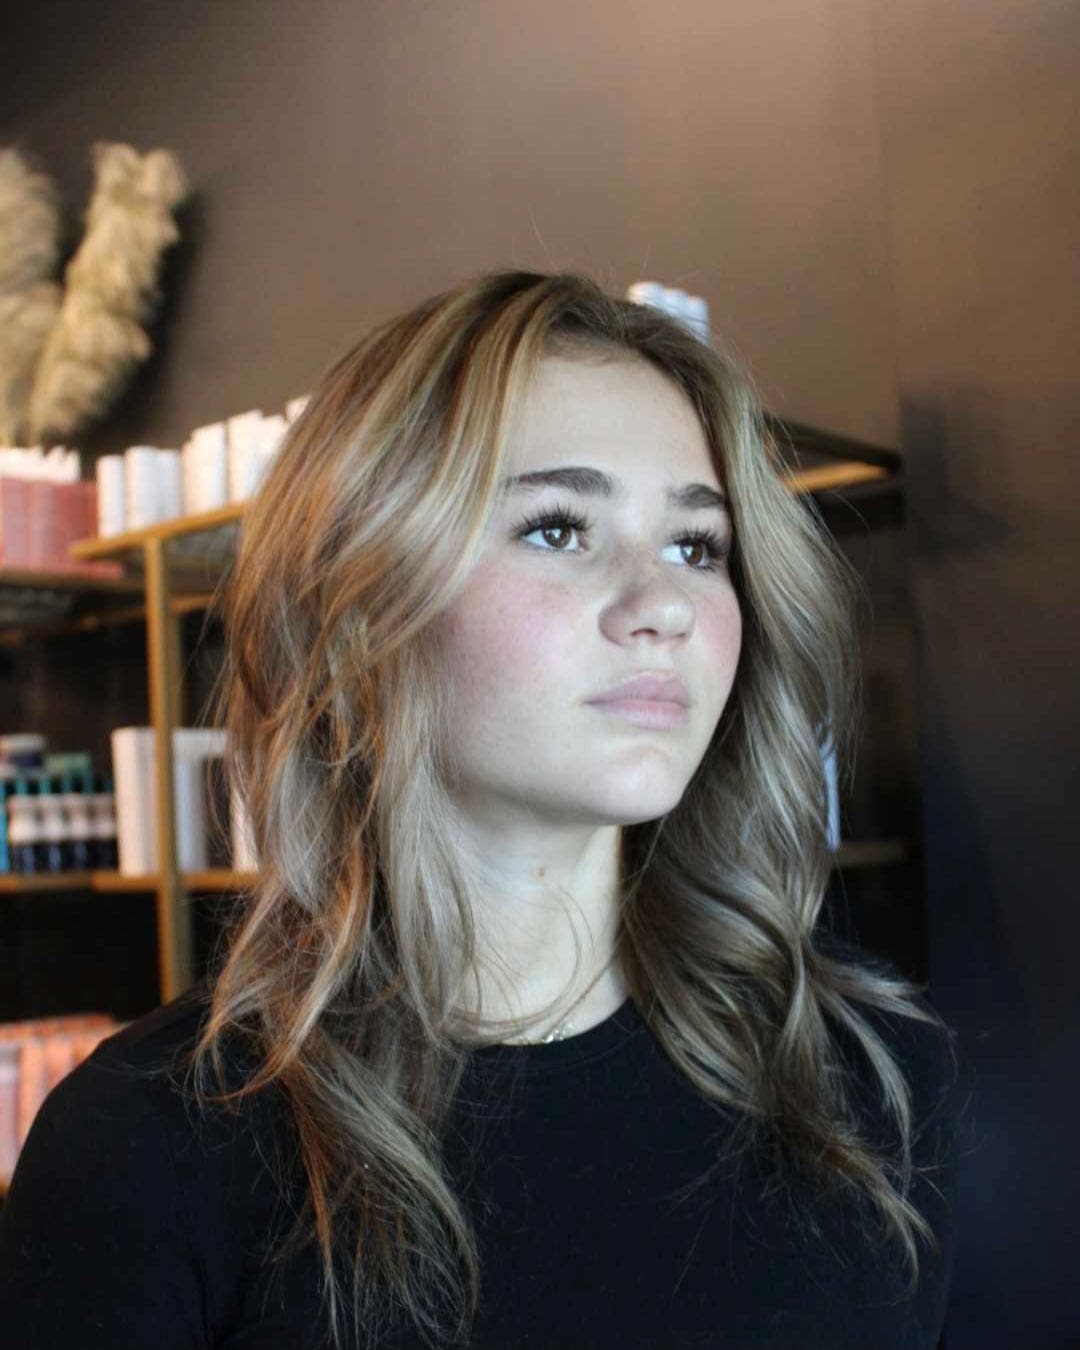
95 1243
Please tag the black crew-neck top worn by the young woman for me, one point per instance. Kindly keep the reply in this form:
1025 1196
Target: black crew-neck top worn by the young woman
126 1226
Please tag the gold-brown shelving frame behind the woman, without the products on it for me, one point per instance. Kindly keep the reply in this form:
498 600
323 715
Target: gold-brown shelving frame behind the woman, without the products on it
176 568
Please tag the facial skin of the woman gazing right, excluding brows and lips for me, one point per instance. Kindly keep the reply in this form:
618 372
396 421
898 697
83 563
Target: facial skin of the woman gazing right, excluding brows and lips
554 616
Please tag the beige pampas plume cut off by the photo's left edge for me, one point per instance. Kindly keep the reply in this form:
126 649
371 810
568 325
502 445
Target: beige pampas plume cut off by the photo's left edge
29 299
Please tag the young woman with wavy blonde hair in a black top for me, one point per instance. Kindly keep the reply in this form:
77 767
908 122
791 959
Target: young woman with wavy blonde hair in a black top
531 1033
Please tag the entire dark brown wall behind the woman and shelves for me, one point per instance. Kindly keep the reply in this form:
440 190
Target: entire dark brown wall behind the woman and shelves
880 203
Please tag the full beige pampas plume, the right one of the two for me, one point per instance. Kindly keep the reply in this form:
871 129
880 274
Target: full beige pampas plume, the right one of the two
111 291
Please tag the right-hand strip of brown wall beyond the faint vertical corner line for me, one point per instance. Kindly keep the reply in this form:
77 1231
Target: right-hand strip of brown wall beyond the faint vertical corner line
981 129
